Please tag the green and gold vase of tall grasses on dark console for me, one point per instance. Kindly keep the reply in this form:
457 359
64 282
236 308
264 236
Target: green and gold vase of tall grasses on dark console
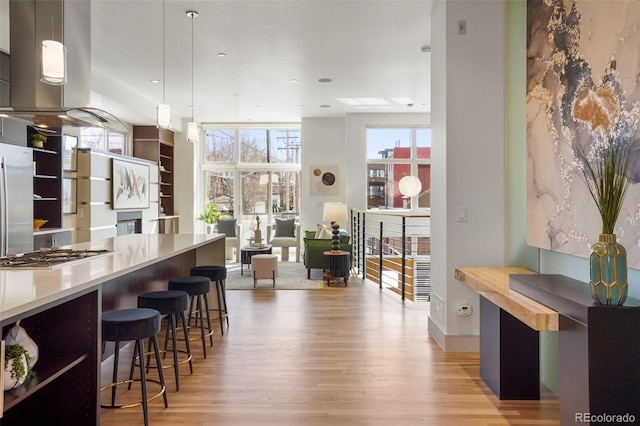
604 169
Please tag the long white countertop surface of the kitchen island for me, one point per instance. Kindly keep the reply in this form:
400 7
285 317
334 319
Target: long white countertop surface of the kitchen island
24 290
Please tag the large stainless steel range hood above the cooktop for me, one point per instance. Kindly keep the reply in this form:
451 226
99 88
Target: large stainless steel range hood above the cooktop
39 103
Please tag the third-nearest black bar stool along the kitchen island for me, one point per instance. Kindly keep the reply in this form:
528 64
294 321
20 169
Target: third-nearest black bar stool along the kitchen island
197 288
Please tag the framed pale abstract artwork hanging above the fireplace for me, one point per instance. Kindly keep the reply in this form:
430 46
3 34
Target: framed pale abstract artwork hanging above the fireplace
129 185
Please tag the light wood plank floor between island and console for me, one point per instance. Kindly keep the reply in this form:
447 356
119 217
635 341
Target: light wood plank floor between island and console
342 356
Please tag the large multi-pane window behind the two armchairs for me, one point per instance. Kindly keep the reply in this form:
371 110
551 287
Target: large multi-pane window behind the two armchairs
252 171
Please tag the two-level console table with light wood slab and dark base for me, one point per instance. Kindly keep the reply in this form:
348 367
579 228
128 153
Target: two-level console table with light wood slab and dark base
599 346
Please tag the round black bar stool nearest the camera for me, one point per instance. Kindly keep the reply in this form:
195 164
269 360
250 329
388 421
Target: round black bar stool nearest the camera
133 324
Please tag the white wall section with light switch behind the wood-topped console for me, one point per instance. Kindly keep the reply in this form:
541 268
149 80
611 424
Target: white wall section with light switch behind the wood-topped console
468 159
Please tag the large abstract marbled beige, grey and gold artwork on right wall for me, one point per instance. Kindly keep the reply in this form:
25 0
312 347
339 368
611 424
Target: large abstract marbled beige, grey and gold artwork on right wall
583 74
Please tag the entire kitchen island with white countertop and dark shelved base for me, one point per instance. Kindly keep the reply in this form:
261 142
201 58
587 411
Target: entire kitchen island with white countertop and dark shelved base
60 309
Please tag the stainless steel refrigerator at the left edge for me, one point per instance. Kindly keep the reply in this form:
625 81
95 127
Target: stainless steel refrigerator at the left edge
16 199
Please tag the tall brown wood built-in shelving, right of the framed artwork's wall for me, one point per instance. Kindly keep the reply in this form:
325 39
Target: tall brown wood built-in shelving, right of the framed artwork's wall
155 144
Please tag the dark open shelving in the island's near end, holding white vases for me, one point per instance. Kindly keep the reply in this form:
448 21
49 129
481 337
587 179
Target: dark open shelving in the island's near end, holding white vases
64 387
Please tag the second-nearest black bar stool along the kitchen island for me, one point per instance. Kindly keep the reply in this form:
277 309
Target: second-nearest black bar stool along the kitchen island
173 304
